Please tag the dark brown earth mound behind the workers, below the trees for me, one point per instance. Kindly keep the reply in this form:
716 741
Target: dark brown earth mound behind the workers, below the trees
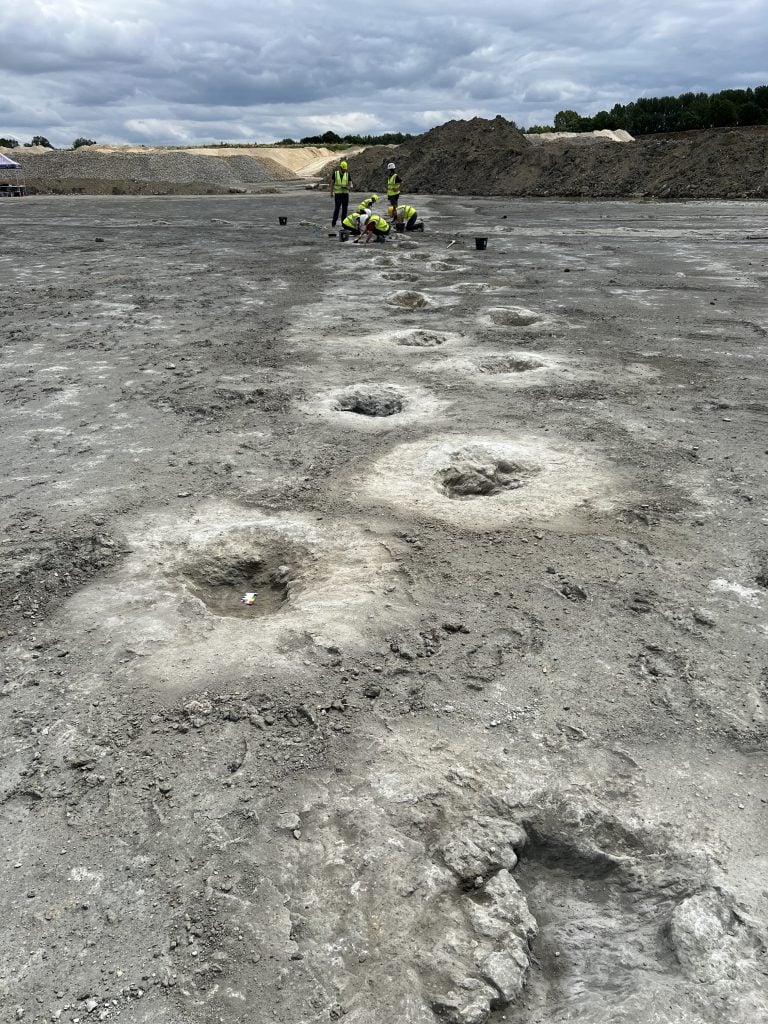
493 158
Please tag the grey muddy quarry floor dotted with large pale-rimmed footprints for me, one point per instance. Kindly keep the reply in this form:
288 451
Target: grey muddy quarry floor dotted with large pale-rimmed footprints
490 745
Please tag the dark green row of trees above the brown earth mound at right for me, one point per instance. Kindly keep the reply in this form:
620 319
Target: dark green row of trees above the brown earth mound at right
729 109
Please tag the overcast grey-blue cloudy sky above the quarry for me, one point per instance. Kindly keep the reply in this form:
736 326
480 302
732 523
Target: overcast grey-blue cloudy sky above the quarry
179 72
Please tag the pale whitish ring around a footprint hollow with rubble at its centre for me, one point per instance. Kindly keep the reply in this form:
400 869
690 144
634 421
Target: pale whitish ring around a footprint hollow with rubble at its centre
510 479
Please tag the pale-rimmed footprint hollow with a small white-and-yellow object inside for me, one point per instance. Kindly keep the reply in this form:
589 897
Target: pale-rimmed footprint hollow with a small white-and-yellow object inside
177 606
